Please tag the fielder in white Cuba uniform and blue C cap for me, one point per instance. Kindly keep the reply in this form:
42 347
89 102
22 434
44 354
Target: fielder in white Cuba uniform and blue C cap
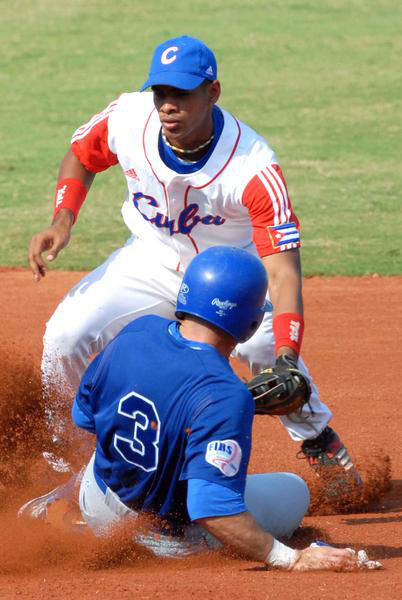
196 177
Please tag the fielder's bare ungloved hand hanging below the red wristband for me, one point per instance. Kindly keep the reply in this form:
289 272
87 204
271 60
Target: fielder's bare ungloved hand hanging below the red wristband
50 240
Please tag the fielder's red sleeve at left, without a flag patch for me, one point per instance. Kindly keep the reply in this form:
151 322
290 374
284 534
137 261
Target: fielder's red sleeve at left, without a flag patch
90 143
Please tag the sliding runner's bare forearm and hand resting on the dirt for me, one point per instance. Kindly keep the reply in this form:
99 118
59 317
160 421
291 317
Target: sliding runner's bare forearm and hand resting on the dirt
243 534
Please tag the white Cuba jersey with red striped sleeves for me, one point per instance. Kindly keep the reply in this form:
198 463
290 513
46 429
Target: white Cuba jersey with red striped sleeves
239 197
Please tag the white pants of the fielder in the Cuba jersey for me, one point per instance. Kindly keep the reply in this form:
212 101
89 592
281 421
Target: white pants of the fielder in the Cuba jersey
132 283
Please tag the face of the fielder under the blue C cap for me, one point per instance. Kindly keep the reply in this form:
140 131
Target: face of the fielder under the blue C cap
186 115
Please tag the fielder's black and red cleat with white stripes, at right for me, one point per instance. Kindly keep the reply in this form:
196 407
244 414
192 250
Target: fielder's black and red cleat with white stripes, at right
328 450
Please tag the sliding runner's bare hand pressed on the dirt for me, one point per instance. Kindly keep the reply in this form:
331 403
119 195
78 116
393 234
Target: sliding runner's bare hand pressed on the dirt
326 558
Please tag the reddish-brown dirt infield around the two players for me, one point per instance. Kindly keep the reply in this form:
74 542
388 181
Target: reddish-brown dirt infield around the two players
352 345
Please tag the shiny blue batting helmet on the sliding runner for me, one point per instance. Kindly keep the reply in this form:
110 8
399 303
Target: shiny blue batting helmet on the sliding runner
225 286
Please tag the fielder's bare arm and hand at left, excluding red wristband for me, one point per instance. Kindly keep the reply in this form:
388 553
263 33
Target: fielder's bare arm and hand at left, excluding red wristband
57 236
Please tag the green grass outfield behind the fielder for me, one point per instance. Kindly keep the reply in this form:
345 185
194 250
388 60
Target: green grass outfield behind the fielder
321 81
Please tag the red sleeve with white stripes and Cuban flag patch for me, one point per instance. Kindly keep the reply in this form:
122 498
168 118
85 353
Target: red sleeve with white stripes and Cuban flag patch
275 226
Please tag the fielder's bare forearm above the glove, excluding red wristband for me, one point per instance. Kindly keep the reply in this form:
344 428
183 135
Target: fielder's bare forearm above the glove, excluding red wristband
285 287
